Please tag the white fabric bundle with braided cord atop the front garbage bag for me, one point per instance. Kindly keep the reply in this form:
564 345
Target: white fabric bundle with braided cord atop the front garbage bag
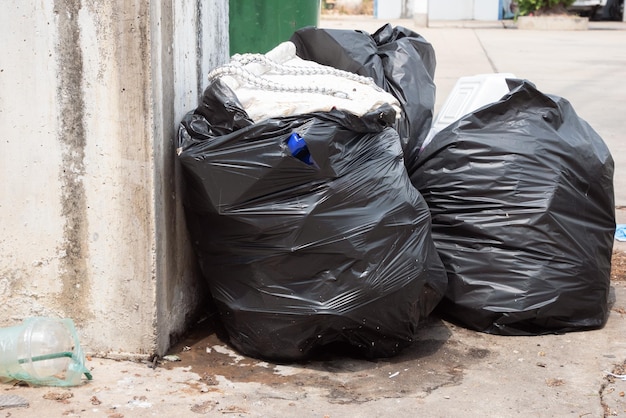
281 84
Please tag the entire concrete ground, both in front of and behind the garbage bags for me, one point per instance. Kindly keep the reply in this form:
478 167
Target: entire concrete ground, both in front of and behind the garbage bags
449 371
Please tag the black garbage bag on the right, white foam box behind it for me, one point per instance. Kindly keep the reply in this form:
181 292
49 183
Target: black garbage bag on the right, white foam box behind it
522 204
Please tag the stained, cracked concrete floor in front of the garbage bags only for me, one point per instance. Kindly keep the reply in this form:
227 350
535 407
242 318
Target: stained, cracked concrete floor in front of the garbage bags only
448 372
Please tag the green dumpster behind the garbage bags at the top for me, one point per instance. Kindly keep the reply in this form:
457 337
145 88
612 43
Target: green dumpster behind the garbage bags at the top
260 25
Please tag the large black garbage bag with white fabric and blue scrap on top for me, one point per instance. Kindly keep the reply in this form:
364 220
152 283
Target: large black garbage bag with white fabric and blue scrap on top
301 252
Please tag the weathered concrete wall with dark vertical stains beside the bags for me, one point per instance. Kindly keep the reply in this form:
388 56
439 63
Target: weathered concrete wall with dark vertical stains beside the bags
91 226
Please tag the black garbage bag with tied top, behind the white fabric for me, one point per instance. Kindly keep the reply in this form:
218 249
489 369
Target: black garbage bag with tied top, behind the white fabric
399 61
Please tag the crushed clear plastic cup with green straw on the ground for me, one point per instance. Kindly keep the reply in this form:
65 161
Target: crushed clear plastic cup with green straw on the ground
42 351
